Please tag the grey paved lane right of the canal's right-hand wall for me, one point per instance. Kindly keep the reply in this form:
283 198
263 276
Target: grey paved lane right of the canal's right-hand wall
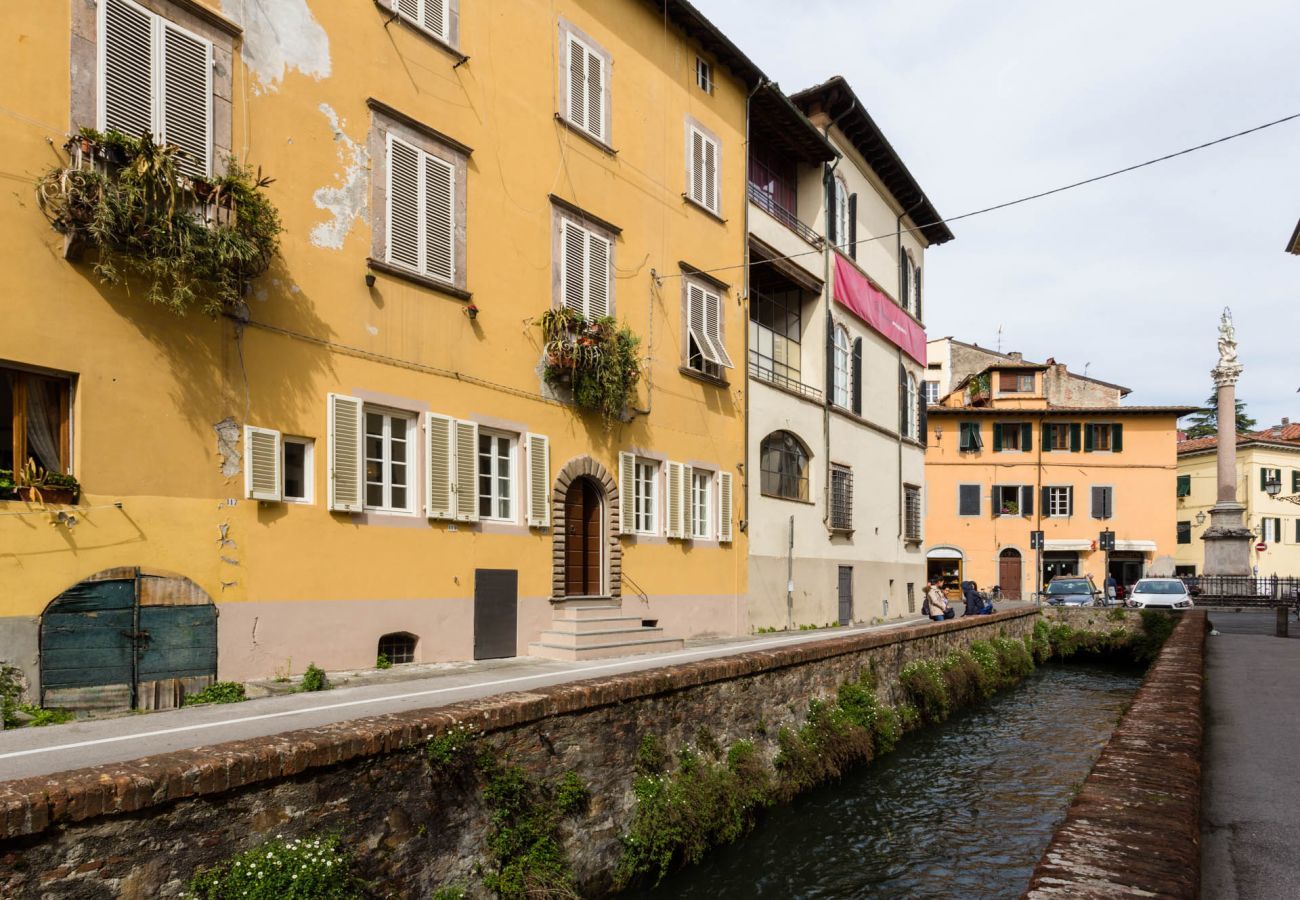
1251 795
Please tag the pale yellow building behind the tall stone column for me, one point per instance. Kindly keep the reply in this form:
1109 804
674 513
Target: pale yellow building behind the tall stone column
1264 458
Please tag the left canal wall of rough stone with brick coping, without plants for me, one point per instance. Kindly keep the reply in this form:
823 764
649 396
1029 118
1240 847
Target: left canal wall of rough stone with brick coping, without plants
141 830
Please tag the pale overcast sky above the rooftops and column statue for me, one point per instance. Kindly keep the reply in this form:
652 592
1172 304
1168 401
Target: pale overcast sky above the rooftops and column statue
991 102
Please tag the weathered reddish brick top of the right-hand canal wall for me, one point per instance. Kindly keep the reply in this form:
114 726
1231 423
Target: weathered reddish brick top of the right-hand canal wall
1134 829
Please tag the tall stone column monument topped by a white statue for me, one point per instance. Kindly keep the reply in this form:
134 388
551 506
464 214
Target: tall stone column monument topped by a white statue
1228 540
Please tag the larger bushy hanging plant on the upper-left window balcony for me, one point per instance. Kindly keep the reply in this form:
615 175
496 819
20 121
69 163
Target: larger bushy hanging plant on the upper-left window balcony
196 241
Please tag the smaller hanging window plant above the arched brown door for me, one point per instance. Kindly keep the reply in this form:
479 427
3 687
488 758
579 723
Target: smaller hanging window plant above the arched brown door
595 358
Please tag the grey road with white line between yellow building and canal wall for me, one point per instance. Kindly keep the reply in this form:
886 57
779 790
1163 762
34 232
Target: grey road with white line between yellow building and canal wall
98 742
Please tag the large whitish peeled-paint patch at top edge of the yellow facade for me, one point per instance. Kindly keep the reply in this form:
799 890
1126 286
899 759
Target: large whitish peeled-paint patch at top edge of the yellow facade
279 37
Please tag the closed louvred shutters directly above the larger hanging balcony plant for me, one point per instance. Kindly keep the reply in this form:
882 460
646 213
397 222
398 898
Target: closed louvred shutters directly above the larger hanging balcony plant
155 77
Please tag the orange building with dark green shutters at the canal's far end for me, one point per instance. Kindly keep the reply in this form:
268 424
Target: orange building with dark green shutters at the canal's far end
1003 462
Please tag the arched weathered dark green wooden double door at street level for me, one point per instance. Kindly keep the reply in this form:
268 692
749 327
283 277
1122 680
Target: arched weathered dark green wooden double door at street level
128 639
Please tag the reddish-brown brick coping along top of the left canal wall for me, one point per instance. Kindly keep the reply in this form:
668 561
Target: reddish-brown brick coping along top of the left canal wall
32 806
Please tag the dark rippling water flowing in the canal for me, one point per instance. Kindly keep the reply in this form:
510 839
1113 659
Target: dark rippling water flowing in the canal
964 810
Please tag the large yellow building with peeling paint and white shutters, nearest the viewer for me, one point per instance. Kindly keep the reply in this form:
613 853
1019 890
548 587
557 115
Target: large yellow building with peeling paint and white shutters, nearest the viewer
365 456
